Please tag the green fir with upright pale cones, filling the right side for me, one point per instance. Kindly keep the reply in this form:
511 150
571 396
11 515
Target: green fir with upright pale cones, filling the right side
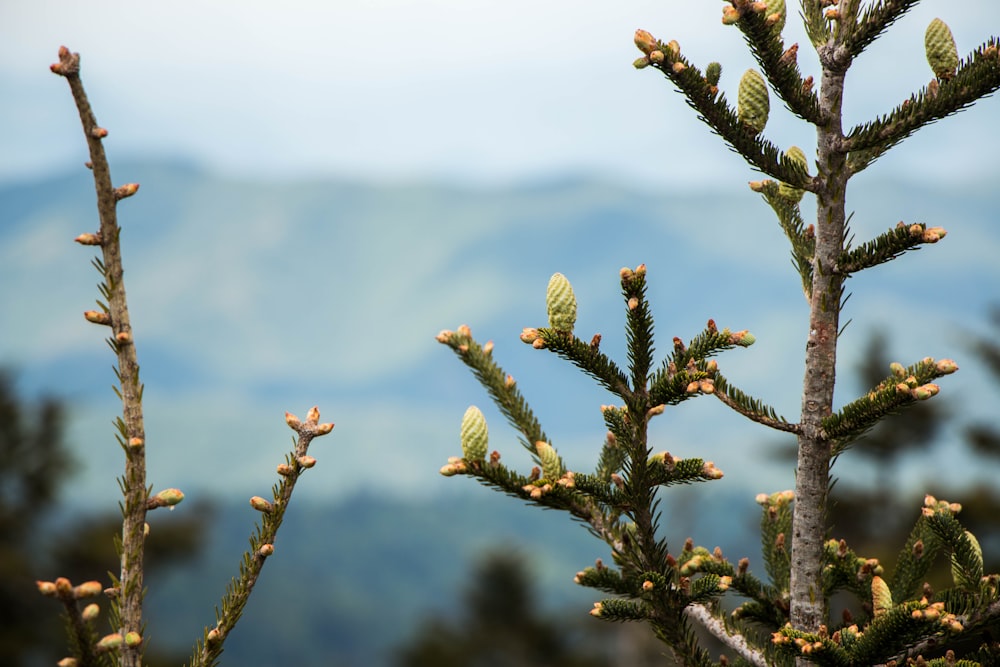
786 617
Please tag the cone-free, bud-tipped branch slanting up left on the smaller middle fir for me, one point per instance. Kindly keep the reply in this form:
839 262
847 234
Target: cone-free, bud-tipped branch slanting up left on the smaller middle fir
501 387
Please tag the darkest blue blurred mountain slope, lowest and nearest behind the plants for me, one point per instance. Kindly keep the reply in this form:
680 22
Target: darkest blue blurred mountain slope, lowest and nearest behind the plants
349 582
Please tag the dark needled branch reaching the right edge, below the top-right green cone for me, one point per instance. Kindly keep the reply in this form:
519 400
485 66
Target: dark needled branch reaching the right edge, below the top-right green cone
978 76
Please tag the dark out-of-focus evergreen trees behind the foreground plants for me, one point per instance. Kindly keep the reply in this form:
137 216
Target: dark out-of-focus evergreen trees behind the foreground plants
500 621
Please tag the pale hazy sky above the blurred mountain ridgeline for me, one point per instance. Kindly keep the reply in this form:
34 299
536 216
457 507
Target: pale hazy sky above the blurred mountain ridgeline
483 90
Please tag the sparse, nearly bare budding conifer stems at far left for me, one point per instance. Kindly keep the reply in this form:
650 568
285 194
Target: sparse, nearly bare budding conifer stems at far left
125 643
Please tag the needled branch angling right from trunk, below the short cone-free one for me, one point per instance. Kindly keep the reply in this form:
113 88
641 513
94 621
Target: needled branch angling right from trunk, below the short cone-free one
901 389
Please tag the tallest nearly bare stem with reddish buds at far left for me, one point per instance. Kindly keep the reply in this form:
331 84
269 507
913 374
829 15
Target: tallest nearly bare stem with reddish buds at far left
127 605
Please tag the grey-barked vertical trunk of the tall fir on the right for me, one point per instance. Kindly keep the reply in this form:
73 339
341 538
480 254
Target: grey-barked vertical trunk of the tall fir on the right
808 604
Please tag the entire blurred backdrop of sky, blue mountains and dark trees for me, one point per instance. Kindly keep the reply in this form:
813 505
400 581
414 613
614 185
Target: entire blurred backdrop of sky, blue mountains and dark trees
324 187
